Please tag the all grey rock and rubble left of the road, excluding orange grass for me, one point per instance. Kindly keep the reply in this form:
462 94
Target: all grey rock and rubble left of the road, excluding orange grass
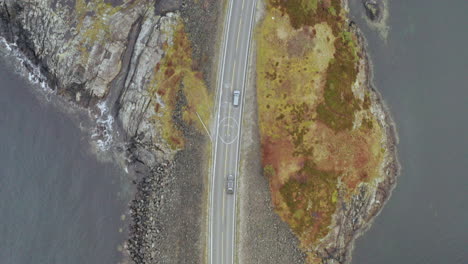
102 56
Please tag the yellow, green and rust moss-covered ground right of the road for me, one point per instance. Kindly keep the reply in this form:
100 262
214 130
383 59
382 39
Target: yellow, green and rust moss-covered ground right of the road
319 139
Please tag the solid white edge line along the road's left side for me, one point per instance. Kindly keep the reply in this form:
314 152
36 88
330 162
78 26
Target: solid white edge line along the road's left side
220 78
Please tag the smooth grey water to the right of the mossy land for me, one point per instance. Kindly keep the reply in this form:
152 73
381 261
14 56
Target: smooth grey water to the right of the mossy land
422 73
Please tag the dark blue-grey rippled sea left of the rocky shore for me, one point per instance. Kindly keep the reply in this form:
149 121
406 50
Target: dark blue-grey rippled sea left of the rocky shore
58 203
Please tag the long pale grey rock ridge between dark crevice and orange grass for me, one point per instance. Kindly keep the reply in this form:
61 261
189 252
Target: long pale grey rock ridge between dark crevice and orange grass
135 102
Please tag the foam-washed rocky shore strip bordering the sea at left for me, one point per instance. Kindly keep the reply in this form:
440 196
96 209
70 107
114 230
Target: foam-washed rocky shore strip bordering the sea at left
93 122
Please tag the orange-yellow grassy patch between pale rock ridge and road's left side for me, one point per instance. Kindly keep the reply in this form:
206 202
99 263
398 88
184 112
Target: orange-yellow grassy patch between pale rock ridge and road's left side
174 78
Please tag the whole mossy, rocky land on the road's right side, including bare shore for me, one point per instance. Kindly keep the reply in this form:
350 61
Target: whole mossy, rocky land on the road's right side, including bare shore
326 139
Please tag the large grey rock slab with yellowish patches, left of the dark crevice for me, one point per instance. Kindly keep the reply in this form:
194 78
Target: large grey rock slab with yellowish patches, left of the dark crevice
78 44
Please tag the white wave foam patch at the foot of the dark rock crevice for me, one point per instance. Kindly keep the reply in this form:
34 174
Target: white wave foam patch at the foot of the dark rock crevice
103 130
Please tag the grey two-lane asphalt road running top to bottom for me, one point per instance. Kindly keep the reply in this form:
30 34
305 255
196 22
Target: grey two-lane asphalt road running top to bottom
234 57
